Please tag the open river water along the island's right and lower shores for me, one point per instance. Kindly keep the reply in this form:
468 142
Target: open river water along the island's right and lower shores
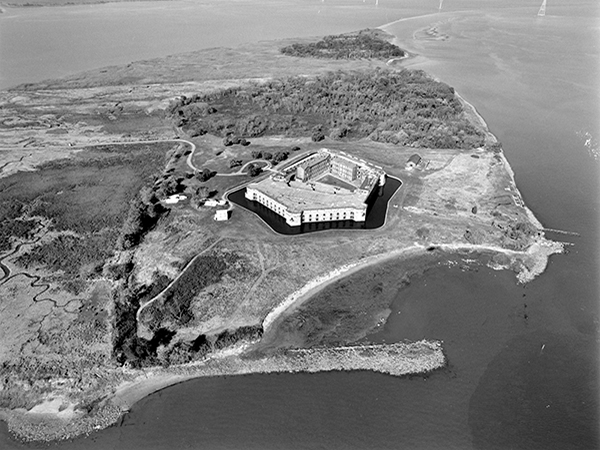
523 360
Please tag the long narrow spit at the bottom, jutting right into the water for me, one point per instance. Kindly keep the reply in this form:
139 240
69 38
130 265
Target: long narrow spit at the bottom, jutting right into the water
393 359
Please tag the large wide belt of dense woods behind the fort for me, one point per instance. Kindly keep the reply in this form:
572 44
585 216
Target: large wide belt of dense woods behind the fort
401 107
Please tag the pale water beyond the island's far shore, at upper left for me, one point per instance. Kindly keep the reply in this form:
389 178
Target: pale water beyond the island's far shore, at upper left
42 43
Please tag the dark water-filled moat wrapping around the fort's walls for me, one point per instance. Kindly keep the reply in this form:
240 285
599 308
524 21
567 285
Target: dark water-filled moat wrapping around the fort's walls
376 212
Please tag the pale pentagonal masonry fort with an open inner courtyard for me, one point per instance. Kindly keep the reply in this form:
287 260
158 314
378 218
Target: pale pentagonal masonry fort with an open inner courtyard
324 186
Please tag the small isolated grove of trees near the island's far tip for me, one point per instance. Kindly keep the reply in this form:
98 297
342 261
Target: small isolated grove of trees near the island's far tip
365 44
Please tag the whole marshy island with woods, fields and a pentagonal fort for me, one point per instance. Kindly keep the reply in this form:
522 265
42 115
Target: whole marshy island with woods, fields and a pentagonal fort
125 268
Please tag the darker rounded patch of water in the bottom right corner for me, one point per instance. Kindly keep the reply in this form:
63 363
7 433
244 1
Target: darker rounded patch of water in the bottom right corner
540 392
